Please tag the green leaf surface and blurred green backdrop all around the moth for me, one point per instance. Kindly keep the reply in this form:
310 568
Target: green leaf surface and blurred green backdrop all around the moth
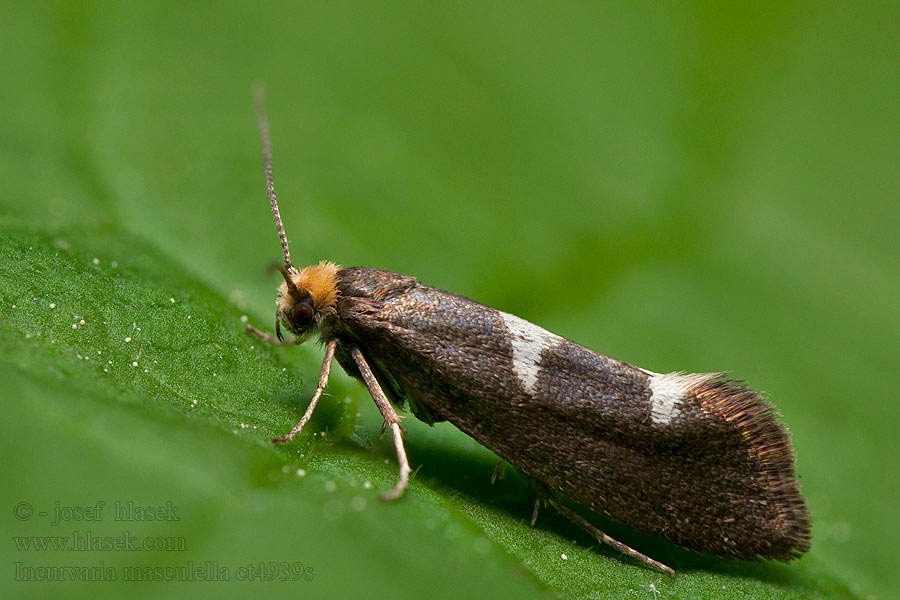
682 186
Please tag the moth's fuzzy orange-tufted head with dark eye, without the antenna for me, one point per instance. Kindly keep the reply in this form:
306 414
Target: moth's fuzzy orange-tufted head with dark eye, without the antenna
305 298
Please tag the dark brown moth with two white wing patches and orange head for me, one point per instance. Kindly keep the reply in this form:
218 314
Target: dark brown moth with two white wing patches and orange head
696 459
